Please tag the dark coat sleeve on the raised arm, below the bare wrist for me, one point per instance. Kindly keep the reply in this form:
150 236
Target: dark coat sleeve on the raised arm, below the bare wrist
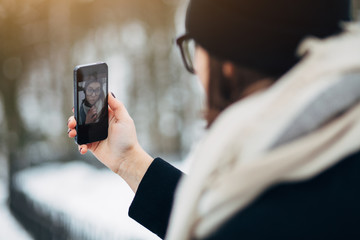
153 200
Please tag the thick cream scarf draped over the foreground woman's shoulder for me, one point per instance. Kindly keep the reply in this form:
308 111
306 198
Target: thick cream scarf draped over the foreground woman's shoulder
307 122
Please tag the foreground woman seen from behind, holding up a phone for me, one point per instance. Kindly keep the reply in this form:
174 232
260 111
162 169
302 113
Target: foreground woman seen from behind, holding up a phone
274 164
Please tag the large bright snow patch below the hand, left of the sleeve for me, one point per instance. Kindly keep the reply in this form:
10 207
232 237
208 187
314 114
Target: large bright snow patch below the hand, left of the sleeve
92 202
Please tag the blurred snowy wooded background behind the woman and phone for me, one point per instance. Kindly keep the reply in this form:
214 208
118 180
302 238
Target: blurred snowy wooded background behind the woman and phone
53 191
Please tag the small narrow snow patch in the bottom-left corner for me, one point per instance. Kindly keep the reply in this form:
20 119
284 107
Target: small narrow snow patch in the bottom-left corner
10 229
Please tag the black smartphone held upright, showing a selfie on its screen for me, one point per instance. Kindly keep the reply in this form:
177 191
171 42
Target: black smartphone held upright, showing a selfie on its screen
91 102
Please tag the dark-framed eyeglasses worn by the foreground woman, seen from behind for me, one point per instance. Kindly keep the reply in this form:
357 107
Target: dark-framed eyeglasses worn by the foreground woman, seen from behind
187 49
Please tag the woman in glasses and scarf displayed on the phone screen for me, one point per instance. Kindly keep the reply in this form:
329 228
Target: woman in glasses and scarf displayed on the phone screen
92 105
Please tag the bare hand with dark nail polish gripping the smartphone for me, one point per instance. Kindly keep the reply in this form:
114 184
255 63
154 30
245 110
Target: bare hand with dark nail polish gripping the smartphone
120 151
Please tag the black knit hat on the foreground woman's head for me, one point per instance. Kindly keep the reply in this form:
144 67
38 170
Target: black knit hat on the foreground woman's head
262 34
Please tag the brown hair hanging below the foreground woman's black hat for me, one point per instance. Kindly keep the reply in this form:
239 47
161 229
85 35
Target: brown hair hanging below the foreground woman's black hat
224 91
